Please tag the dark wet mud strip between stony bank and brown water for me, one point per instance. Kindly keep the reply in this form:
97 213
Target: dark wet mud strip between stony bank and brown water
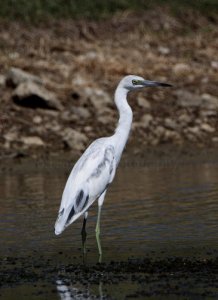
153 157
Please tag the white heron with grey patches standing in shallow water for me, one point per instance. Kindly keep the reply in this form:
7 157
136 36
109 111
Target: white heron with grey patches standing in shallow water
95 170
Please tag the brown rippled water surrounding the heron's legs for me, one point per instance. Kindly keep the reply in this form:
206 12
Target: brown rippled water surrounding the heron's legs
157 209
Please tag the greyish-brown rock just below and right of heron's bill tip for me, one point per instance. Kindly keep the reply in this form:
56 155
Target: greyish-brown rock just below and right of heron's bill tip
187 99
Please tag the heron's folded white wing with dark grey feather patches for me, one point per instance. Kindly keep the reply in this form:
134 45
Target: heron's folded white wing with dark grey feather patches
87 181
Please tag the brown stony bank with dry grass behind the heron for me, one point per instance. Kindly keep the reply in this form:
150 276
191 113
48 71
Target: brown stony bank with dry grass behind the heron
81 62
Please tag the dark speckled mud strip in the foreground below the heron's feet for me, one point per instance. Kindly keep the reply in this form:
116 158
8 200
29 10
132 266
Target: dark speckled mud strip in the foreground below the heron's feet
154 277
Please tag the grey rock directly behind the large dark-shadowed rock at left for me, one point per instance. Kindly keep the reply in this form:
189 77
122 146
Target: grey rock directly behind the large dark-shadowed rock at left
17 76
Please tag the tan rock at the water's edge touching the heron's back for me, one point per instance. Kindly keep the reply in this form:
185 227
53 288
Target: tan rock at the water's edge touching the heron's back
73 139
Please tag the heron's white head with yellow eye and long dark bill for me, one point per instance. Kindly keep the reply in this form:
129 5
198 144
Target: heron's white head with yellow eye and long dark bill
132 82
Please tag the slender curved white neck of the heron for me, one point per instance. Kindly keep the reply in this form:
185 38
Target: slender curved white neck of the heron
125 119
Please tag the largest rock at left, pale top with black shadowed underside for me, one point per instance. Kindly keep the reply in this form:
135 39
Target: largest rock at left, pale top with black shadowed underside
31 95
